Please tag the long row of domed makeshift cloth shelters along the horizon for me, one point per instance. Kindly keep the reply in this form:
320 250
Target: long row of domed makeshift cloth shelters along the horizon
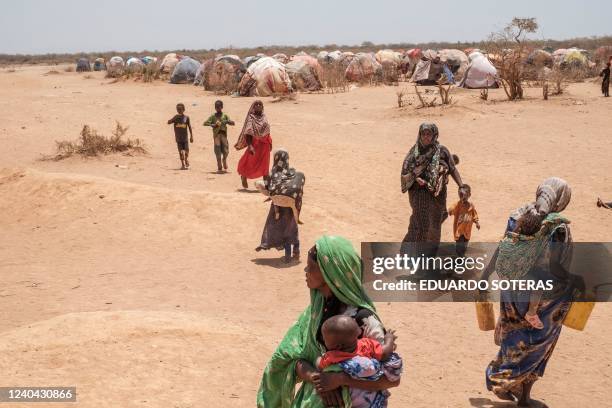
268 75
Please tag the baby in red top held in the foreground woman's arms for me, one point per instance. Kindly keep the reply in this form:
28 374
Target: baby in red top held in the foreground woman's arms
360 358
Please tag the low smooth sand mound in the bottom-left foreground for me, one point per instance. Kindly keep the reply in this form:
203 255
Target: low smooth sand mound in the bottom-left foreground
132 358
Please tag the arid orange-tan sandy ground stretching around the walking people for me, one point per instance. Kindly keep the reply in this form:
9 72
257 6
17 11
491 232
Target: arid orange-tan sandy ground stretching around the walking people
139 284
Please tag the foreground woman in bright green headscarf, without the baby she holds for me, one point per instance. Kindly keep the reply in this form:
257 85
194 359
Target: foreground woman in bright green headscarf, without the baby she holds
333 275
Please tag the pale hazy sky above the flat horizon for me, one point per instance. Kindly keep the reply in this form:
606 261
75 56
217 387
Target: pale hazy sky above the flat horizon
41 26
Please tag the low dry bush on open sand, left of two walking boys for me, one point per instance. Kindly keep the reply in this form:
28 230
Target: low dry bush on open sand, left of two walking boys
91 143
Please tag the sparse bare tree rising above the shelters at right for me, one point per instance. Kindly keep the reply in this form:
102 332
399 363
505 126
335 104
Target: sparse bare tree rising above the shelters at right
509 53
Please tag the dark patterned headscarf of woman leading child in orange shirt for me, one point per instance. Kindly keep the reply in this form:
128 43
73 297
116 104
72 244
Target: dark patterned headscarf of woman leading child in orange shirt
423 158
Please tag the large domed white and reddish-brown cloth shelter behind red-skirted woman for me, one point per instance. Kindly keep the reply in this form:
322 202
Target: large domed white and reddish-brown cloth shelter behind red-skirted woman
265 77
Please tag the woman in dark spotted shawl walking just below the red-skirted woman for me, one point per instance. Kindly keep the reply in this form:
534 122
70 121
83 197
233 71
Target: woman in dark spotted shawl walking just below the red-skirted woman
281 229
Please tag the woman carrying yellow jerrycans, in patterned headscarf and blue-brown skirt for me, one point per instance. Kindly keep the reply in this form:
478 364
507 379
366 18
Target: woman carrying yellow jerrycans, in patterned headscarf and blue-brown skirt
537 246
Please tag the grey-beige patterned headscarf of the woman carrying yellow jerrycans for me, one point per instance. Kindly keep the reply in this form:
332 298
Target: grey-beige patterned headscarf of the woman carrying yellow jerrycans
552 196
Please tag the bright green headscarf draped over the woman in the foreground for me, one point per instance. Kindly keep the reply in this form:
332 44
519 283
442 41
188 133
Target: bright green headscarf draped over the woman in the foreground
341 269
